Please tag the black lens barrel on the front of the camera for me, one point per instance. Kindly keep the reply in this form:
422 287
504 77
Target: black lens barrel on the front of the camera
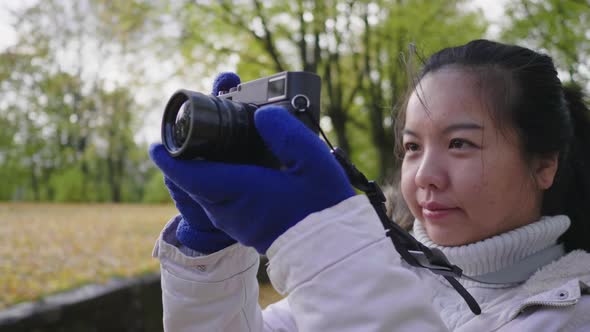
196 125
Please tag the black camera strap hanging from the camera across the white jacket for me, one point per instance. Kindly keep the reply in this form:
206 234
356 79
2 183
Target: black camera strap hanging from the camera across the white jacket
411 250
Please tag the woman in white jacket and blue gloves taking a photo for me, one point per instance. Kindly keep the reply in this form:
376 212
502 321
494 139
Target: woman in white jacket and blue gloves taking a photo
494 171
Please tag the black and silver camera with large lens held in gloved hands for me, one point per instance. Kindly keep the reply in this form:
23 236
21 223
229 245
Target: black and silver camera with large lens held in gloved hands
221 128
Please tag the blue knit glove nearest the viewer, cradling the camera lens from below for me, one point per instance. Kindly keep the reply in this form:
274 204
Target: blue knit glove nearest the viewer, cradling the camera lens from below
254 204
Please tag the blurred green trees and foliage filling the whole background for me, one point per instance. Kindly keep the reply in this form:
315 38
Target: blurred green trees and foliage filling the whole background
86 78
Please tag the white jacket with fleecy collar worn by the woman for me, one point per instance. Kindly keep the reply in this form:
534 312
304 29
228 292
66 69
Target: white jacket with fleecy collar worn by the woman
342 274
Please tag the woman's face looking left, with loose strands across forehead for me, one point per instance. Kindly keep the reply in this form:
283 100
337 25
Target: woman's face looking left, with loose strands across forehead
461 177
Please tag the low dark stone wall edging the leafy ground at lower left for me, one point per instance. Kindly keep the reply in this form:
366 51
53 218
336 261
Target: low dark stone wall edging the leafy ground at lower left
133 305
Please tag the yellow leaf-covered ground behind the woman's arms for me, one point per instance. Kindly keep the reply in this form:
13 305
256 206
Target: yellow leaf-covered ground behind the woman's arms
48 248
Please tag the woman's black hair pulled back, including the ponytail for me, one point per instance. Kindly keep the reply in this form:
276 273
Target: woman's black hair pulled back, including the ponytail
549 118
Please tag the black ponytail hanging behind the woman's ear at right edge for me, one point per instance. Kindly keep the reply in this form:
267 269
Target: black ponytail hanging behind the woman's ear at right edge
573 179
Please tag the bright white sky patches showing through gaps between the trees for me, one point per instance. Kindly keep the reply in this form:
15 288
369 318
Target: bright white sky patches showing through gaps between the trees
150 131
